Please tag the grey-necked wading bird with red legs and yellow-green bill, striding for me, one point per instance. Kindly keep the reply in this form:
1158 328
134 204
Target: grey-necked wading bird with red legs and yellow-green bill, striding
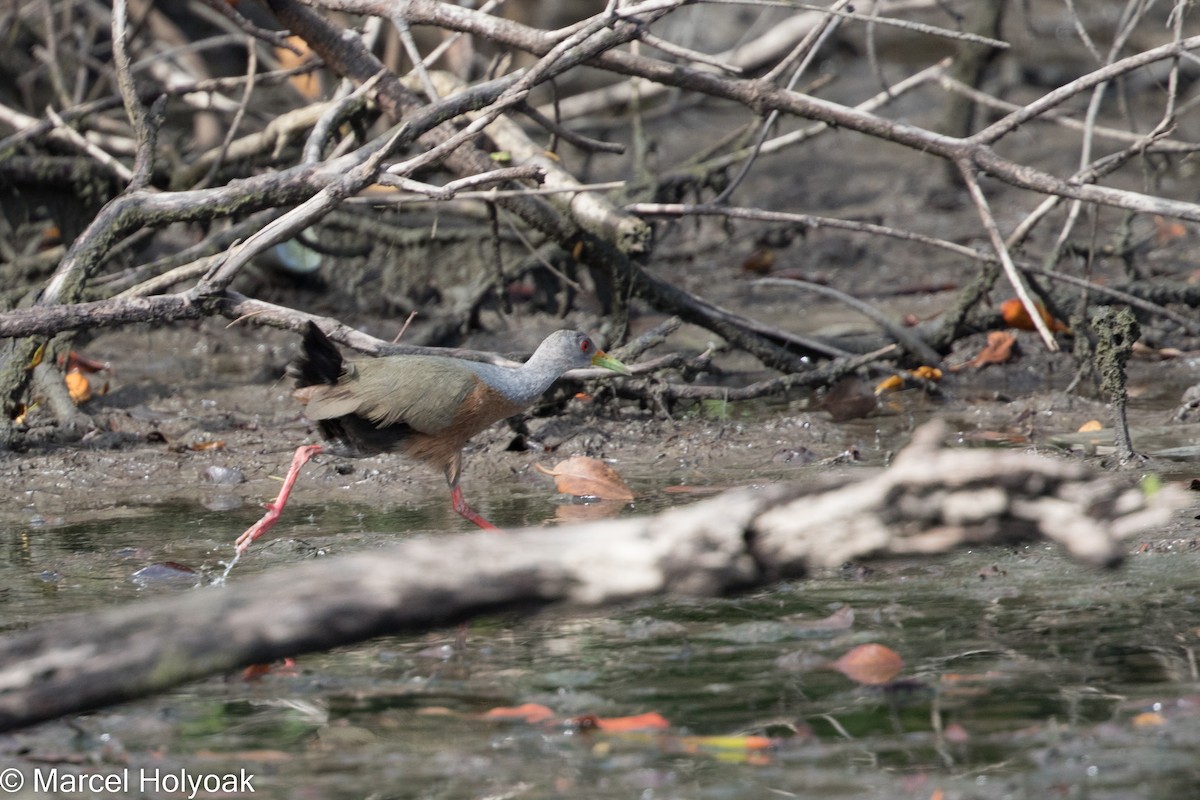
424 407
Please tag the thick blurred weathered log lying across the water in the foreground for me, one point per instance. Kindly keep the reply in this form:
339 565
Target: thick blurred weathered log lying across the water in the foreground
931 501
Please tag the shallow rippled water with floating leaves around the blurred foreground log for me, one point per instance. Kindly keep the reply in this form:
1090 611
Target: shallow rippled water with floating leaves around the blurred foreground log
1025 676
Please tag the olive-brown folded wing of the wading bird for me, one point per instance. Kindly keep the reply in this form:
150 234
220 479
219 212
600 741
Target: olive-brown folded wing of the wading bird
422 393
